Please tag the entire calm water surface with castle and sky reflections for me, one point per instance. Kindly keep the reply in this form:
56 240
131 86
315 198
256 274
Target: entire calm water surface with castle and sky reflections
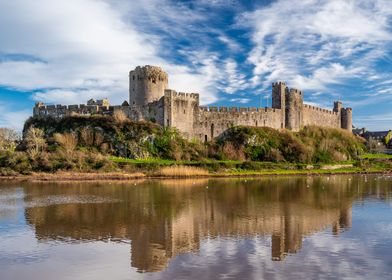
270 228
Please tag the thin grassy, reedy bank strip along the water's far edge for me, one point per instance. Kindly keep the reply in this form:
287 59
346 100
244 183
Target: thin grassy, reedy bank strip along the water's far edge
122 176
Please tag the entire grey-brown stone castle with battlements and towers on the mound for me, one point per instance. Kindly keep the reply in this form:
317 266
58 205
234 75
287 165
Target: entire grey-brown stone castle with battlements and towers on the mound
150 99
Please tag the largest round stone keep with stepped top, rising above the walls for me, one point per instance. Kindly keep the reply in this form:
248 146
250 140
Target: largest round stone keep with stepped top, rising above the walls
146 84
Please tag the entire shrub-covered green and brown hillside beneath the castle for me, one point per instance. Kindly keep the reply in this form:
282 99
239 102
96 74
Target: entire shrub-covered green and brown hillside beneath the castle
113 143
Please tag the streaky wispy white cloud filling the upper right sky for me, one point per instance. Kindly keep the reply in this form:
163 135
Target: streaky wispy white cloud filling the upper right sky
312 44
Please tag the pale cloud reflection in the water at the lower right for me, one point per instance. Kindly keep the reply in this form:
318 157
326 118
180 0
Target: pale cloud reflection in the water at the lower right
323 256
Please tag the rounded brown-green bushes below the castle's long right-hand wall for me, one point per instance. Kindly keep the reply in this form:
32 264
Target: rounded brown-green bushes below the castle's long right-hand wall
311 145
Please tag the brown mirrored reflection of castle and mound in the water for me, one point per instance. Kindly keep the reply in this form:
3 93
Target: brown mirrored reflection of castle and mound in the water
165 218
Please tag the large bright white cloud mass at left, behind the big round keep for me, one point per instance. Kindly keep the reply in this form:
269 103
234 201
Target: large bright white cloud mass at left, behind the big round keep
83 47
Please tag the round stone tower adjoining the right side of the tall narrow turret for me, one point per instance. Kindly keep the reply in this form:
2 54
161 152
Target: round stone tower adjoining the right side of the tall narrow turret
294 104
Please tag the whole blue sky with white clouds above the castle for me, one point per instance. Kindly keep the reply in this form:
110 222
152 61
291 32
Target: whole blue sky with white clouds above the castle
229 51
